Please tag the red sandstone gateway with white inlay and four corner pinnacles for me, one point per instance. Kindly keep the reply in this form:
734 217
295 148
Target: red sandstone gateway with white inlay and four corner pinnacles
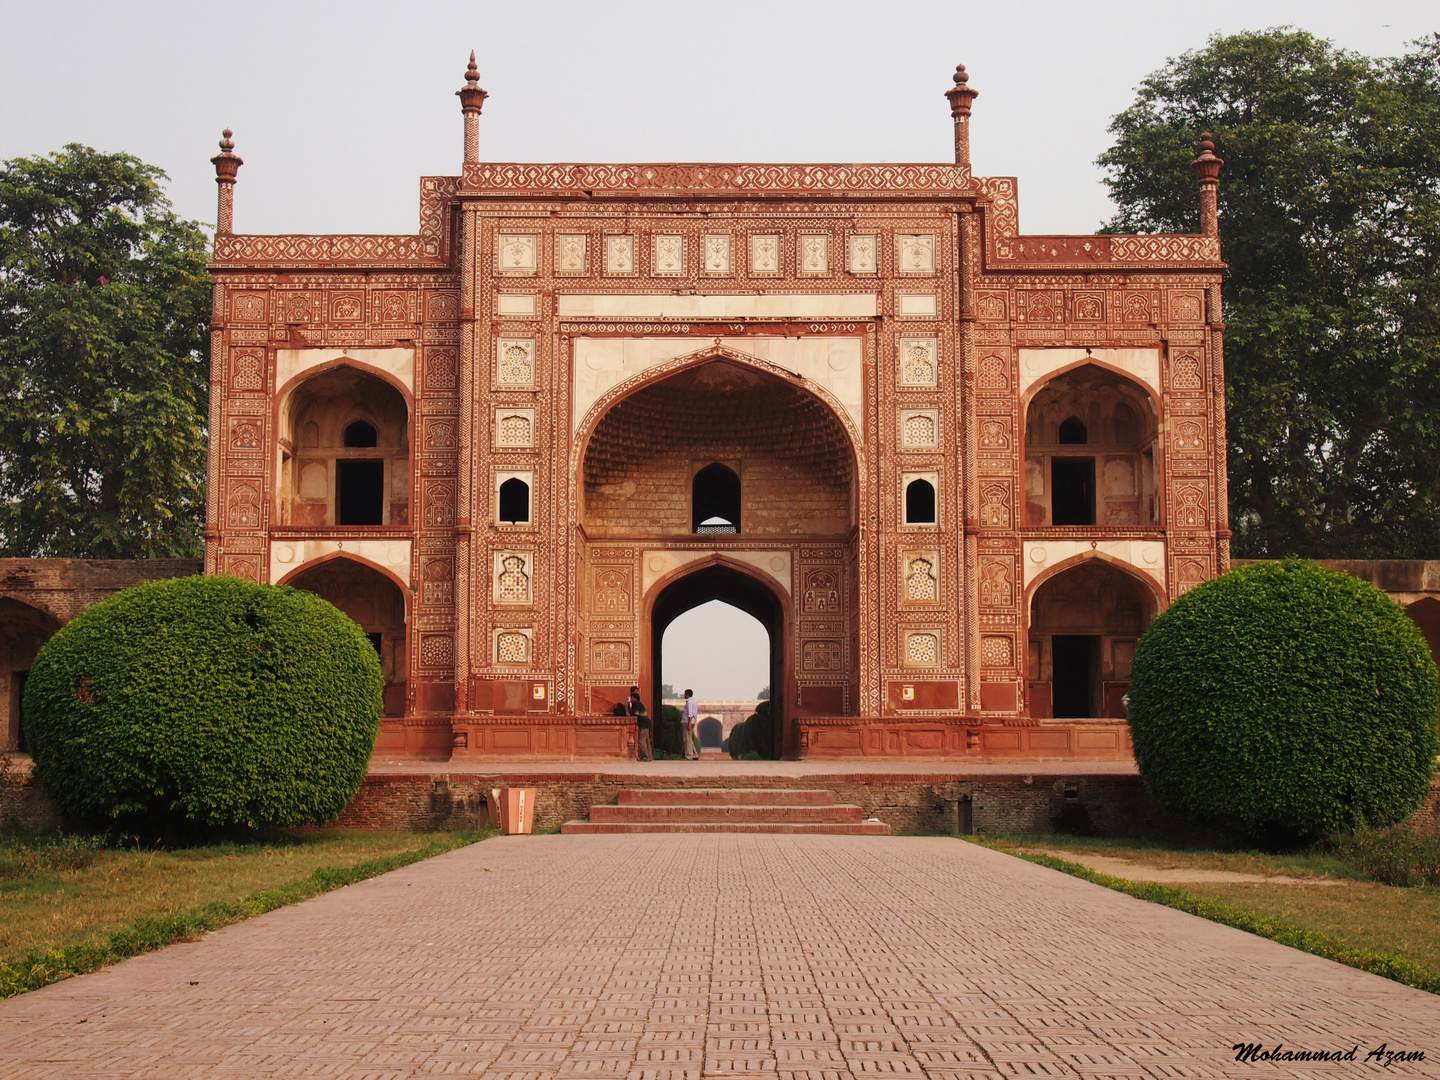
954 470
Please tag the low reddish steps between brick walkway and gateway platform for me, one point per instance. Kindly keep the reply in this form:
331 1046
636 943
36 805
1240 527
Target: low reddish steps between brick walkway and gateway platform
728 810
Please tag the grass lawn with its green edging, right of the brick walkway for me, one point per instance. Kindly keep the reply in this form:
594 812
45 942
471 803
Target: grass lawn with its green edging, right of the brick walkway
1386 931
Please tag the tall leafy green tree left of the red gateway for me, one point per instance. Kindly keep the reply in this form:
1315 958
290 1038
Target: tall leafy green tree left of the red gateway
104 372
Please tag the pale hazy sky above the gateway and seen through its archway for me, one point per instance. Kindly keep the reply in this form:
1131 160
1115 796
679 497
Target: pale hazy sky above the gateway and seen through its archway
339 109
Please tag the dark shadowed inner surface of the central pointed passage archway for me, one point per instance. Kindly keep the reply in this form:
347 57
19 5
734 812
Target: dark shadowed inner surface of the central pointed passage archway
738 590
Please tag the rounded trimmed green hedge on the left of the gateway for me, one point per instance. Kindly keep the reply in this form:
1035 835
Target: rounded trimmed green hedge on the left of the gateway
205 701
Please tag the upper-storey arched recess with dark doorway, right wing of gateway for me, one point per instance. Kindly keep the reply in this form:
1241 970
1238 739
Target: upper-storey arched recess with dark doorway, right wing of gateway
1092 451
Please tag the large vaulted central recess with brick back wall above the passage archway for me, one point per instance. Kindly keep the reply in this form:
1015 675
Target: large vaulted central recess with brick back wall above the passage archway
788 449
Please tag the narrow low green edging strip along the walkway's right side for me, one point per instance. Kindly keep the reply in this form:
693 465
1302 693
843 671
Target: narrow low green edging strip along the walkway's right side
1386 966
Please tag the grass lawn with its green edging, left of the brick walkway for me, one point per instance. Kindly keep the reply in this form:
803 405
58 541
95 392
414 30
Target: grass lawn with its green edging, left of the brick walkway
73 906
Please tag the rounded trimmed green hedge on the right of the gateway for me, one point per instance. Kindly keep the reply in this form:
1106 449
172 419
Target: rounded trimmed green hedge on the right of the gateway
1285 702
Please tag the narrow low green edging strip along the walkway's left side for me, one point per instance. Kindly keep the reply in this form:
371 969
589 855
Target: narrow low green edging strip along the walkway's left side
148 934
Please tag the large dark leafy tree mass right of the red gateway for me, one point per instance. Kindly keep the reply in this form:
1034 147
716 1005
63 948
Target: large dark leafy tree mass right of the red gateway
1330 221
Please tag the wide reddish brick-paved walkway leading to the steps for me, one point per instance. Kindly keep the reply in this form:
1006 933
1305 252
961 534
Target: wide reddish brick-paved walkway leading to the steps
670 957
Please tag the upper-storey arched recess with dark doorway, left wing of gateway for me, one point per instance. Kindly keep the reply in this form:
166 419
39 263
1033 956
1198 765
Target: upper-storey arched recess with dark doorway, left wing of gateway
345 440
